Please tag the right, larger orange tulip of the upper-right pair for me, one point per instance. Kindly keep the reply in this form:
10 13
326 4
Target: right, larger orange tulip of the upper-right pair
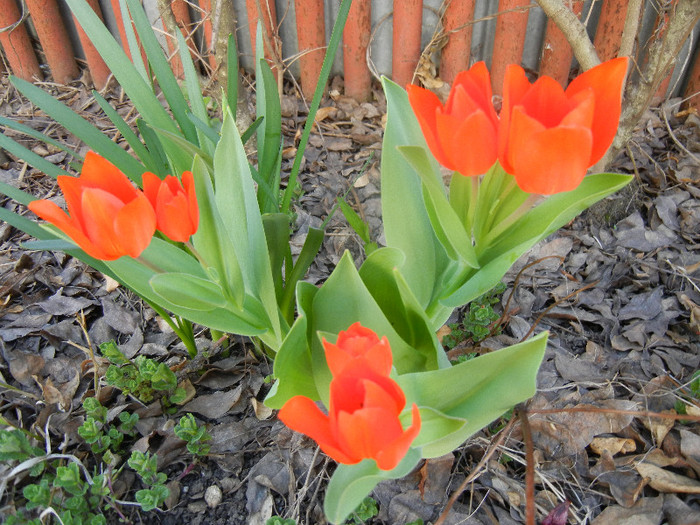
549 137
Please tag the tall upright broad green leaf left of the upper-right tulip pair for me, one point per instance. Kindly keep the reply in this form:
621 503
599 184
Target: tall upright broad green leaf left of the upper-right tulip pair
406 222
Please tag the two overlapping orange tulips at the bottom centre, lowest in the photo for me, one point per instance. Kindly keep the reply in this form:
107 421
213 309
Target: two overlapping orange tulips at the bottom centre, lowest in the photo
365 403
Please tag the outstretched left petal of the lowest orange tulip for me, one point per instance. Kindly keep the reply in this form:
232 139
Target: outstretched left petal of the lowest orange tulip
302 415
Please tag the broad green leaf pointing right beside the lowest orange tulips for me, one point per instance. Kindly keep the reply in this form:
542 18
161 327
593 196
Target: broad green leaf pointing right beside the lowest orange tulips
480 391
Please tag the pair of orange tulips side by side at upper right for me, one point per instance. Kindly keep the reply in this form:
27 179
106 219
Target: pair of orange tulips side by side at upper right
545 136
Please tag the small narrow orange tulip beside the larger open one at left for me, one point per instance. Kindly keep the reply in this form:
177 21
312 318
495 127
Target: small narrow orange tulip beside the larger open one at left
175 203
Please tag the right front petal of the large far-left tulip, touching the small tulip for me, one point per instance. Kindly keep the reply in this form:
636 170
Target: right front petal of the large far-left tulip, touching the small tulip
134 226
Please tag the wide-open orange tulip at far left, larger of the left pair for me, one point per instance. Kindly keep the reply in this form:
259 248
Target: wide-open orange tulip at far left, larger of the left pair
107 216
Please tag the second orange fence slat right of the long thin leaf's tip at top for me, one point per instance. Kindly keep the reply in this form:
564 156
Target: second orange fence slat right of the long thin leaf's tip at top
406 41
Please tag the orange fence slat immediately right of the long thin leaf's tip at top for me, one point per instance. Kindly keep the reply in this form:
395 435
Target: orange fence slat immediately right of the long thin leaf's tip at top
358 81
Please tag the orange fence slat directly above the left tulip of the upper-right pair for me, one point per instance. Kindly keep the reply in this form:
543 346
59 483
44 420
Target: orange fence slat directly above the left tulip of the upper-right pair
455 54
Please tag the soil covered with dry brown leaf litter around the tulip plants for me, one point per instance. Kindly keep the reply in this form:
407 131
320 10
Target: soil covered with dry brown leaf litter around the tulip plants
618 289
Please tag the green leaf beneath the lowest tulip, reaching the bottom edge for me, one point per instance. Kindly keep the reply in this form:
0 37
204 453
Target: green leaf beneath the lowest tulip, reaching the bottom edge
350 484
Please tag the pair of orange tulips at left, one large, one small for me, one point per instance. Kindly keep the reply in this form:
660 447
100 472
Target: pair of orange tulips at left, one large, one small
109 218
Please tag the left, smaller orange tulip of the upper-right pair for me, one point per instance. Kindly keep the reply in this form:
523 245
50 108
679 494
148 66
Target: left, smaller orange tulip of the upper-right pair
462 134
